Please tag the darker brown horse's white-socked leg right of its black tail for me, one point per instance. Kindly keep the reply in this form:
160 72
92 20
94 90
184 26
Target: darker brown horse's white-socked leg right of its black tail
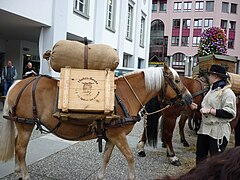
168 128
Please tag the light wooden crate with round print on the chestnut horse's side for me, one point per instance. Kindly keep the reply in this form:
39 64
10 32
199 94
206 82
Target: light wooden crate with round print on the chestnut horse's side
84 90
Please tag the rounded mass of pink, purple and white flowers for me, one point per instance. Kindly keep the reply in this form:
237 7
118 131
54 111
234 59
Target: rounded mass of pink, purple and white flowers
213 41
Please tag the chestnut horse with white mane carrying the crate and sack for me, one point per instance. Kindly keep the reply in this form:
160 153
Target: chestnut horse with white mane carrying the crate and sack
33 101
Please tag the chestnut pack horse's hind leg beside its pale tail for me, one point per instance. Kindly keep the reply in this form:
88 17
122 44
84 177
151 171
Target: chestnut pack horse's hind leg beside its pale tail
24 133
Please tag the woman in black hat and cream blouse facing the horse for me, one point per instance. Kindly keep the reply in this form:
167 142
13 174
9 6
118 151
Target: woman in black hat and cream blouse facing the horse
218 109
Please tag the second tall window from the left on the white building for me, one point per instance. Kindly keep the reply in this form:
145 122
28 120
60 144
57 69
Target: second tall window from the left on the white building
110 24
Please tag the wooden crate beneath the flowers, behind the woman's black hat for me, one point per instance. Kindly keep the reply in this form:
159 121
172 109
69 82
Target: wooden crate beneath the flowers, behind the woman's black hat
205 62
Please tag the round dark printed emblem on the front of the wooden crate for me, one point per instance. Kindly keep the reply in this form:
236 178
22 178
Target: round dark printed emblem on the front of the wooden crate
87 89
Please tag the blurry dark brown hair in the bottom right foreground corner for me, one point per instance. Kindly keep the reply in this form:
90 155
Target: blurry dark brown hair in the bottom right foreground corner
223 166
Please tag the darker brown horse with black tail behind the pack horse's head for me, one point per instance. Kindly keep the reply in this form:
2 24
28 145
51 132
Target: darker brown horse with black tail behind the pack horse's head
168 119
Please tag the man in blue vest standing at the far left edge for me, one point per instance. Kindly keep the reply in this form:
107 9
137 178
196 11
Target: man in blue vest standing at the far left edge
9 74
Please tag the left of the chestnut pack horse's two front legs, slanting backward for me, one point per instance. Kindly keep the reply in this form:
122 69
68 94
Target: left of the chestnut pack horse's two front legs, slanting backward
106 157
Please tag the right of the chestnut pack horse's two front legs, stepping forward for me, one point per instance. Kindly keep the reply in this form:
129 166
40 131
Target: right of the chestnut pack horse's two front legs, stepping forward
121 142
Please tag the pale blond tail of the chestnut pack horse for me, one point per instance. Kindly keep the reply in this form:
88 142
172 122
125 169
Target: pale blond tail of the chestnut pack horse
7 135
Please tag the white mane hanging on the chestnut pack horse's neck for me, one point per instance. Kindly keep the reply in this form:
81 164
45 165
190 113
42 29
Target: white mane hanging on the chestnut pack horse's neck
153 78
